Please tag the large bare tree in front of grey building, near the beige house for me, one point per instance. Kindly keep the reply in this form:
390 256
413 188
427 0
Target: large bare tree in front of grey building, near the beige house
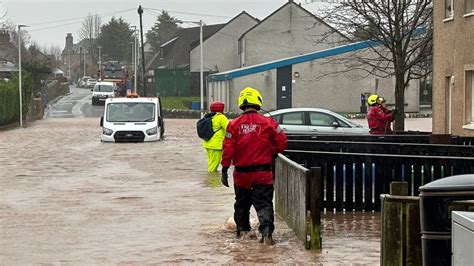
398 33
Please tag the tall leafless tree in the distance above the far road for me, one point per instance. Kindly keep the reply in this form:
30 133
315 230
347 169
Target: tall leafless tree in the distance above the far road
89 33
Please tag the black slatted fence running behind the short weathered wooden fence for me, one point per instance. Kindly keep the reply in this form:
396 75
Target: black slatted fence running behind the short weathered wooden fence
355 180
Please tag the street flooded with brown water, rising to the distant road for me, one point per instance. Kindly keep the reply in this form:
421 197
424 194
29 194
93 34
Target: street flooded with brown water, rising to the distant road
66 198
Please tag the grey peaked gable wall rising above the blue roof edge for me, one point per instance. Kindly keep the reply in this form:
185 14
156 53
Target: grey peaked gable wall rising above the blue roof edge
289 31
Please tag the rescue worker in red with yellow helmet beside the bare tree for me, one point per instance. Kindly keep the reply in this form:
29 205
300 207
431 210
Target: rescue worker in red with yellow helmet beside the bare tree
379 117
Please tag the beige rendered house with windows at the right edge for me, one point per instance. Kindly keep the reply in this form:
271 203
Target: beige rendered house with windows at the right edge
453 67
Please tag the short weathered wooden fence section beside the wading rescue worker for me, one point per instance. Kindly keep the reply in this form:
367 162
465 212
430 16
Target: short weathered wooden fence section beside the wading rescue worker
297 199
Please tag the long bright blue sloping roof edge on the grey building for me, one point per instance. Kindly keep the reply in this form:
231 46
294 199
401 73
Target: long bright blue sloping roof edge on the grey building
231 74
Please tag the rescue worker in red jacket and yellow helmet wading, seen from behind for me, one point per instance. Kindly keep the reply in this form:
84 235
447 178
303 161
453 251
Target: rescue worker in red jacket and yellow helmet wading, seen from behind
252 141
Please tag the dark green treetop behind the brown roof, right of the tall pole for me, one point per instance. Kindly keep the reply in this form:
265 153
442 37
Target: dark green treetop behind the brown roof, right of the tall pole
164 29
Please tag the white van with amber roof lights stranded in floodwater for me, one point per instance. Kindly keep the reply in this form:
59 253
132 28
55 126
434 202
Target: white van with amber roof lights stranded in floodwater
132 120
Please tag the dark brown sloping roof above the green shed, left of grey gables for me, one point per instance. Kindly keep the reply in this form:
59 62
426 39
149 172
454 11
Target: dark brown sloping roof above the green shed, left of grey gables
178 53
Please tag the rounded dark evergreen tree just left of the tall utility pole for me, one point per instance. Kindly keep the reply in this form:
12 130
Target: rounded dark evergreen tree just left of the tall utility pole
115 38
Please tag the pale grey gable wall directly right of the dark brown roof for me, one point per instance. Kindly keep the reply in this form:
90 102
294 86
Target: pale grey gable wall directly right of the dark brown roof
220 50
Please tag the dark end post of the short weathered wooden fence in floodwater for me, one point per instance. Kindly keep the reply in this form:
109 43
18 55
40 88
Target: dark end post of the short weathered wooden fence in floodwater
313 217
